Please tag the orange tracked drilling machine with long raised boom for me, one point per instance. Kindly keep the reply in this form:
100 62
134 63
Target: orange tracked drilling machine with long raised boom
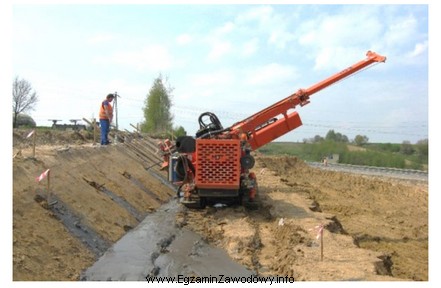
215 165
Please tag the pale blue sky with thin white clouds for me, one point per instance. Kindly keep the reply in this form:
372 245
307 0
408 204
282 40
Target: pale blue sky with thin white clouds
233 60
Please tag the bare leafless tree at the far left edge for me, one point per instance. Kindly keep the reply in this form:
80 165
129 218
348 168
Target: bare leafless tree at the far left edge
23 98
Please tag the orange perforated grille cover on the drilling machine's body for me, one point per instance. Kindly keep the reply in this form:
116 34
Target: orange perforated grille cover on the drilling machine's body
217 163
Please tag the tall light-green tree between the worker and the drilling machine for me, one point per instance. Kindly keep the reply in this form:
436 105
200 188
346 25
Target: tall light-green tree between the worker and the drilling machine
158 118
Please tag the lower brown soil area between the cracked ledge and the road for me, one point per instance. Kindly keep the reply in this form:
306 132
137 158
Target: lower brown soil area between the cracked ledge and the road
387 216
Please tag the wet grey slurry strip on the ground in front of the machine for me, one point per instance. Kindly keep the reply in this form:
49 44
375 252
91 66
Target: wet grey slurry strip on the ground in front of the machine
158 247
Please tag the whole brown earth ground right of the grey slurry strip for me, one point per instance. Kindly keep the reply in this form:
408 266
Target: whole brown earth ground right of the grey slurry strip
375 228
